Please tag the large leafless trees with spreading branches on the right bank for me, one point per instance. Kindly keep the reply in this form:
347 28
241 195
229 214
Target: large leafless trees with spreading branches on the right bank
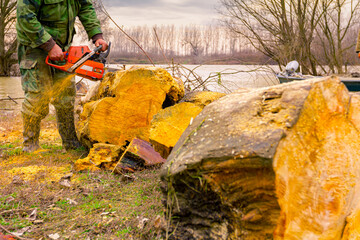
285 29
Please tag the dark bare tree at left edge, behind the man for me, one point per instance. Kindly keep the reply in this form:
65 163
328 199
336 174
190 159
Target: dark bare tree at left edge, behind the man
8 41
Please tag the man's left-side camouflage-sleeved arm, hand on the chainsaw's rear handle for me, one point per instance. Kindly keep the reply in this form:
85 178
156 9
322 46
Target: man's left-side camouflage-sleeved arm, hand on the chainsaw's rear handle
29 26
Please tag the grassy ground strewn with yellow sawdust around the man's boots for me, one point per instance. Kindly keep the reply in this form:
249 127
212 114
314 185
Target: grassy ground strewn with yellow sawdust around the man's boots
34 199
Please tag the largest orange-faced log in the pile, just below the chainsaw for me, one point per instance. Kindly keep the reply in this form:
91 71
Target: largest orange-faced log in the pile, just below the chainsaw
126 103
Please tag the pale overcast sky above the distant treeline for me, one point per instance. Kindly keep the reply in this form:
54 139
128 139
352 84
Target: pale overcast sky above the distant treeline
159 12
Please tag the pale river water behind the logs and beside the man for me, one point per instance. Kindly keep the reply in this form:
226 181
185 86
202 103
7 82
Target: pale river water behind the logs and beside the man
231 78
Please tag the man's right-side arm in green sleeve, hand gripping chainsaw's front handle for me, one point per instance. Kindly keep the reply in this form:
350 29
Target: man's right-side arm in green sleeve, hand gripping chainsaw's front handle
91 23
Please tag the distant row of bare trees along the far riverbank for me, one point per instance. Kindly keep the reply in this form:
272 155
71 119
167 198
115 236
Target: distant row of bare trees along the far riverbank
190 44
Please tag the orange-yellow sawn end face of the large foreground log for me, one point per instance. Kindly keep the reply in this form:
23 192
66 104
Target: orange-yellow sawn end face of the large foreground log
317 167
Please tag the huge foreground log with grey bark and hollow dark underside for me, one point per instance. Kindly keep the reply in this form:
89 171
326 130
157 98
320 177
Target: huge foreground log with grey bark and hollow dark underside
274 163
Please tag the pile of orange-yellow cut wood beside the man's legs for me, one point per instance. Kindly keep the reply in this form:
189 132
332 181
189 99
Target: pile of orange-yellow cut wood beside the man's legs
135 104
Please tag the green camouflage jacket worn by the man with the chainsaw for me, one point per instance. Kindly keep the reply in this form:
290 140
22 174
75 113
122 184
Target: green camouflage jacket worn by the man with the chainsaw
39 21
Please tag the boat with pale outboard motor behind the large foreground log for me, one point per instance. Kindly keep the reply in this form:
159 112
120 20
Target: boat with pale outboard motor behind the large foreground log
290 74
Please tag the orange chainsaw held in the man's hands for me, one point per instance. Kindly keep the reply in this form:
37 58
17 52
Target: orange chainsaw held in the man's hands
83 62
